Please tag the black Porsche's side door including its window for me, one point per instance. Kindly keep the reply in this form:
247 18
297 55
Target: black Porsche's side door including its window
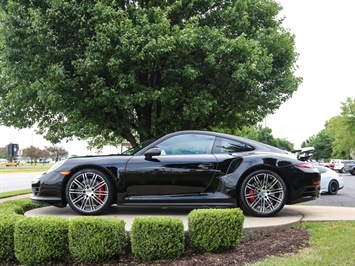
185 166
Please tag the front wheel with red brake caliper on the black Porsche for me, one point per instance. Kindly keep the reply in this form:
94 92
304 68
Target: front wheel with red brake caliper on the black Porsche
89 192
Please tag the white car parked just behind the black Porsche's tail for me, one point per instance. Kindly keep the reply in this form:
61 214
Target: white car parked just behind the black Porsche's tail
331 181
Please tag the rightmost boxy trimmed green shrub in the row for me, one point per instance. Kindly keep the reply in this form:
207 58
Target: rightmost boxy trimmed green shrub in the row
215 229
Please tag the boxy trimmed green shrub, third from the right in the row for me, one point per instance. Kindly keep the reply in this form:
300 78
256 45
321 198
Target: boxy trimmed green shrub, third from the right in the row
96 239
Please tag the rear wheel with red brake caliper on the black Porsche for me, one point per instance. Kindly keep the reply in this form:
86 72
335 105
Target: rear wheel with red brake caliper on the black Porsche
263 193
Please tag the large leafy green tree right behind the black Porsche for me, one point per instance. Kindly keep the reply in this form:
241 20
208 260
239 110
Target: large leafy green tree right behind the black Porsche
111 70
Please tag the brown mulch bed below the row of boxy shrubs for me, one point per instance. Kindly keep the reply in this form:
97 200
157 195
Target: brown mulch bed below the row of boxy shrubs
248 251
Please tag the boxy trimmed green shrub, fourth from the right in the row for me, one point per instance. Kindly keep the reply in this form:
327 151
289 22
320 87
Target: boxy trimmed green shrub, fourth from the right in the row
41 240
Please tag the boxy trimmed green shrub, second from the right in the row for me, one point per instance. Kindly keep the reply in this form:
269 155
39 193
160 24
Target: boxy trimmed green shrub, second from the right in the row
154 238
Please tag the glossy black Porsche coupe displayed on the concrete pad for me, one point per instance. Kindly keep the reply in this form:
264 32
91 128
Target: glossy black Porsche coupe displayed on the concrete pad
185 168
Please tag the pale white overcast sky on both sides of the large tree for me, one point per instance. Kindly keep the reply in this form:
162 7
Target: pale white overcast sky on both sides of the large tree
325 40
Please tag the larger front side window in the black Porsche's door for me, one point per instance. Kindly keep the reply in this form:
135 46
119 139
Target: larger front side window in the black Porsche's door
187 144
